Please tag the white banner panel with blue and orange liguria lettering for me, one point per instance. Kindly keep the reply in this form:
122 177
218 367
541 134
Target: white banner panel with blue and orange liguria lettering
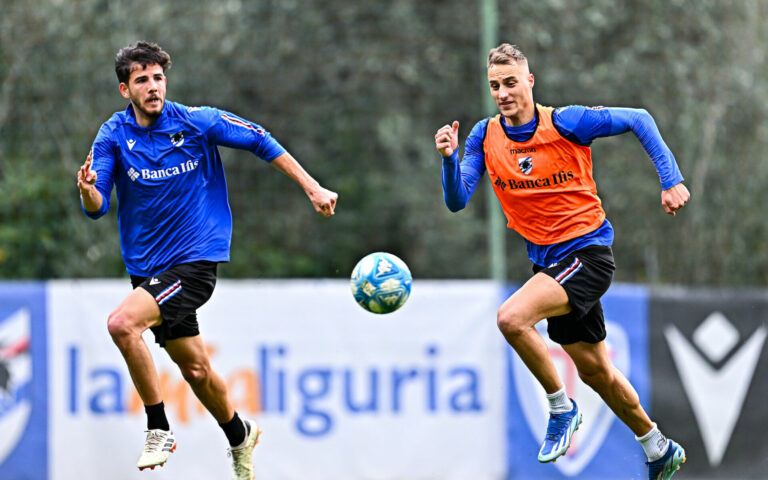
340 393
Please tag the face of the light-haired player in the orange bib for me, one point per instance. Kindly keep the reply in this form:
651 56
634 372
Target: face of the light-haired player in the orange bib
512 90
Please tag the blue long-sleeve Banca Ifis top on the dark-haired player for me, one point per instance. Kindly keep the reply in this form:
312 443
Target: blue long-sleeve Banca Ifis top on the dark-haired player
171 190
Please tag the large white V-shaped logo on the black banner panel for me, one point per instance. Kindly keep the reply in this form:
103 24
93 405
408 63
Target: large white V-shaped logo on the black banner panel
715 395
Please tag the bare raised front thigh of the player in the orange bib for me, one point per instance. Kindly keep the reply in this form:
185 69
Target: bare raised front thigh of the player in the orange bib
540 297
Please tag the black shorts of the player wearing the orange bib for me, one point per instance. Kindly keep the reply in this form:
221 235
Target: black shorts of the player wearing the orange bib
585 275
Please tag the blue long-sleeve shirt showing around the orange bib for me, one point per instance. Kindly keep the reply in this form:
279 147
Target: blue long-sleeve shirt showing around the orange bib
578 124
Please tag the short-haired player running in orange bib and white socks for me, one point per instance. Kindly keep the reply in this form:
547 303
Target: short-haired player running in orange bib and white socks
539 162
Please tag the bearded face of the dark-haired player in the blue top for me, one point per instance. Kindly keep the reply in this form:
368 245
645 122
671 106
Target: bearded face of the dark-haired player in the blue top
146 91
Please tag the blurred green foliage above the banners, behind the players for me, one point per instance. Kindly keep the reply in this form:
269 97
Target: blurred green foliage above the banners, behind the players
356 90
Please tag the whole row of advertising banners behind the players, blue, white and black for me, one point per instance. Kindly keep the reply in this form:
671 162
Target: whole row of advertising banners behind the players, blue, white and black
431 391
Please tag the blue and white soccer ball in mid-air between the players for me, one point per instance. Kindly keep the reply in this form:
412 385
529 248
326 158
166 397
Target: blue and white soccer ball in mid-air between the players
381 282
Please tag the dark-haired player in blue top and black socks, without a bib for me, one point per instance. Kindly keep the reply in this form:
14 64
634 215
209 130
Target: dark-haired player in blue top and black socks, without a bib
175 227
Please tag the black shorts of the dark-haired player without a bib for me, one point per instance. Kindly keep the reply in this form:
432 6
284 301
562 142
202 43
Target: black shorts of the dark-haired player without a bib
179 292
